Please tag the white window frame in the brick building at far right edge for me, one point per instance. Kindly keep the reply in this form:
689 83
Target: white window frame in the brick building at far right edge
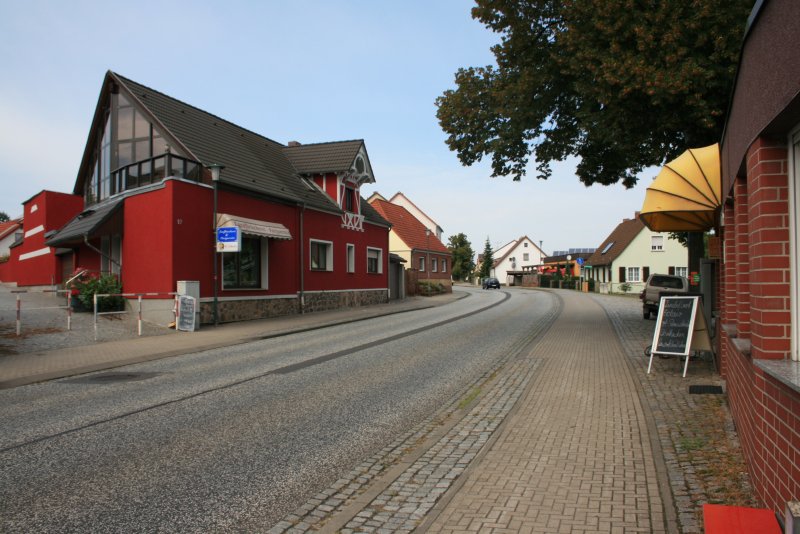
794 240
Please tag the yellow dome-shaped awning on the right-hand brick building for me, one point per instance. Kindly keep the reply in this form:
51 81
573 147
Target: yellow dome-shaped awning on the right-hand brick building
685 196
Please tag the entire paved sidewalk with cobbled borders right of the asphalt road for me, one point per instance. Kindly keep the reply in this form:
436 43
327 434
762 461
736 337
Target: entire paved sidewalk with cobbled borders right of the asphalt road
657 455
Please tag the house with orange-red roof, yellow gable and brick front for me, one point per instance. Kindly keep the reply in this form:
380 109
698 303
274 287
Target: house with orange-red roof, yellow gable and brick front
427 258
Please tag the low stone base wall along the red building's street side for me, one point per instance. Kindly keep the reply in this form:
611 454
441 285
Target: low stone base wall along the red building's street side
246 310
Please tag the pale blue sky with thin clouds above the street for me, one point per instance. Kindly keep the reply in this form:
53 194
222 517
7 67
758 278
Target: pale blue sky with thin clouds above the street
306 70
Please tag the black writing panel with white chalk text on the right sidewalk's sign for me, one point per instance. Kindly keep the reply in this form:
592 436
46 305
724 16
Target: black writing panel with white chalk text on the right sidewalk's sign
675 325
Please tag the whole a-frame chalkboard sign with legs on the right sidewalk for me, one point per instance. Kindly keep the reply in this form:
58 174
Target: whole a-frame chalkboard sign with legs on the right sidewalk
679 329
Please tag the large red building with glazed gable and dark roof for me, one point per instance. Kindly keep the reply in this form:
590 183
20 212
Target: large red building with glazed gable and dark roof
146 204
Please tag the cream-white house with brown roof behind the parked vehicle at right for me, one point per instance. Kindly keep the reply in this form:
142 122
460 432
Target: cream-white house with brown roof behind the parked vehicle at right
631 253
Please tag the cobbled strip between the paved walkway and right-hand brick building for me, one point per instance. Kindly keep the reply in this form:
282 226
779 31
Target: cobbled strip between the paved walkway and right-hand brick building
696 434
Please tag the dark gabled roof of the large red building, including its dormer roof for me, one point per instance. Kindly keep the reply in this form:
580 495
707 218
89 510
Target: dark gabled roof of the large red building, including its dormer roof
252 162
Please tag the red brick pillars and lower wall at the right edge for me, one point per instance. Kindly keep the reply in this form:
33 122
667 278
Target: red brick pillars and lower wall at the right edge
755 309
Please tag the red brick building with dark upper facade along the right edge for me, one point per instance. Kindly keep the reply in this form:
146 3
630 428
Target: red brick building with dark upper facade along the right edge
760 282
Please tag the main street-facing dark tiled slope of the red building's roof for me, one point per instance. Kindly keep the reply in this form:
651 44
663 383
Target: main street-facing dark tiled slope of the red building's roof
251 161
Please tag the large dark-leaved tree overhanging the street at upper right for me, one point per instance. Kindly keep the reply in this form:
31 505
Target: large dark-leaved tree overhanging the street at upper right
620 84
